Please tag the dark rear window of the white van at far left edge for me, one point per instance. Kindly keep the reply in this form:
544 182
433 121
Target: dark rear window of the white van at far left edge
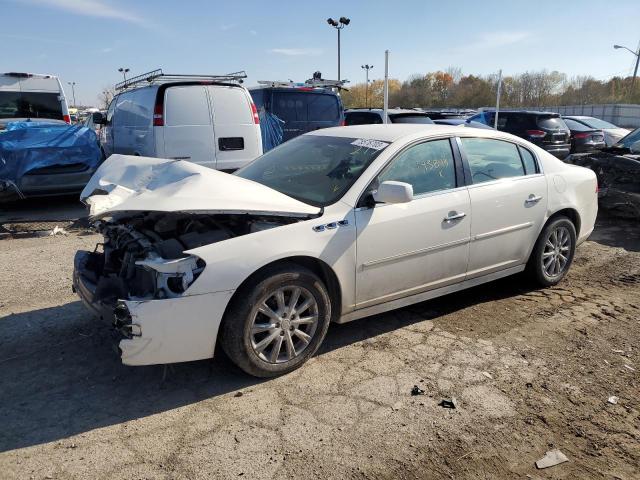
30 105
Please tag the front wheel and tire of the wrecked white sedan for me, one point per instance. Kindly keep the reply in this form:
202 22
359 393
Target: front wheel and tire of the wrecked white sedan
266 314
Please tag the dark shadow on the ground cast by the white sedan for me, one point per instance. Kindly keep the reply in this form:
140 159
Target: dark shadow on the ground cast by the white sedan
60 376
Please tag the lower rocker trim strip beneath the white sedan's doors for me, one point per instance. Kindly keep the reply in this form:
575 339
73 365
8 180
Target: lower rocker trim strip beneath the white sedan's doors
421 297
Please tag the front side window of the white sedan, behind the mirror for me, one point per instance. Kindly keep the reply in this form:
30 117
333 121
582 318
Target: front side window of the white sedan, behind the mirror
428 167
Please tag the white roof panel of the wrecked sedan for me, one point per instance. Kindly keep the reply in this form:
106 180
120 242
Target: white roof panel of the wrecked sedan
396 131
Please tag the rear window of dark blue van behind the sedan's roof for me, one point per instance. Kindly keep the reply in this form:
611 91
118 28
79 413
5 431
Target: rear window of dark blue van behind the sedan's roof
303 107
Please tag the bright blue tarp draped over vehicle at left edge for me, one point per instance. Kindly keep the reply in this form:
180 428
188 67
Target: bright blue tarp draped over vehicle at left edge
25 146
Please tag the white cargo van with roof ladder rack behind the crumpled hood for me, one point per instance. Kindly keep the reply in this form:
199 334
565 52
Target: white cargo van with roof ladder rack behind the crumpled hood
209 120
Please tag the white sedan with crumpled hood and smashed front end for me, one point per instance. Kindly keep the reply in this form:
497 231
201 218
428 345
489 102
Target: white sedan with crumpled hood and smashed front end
332 226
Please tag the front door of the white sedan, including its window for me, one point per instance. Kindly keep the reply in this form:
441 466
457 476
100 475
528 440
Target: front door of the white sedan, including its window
405 249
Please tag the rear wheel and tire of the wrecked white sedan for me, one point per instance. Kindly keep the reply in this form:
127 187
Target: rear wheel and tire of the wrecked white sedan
553 252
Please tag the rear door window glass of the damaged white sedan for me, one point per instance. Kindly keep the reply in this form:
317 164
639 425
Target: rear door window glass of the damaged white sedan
492 159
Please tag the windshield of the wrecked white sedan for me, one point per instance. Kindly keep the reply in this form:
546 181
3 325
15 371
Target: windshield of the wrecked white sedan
315 169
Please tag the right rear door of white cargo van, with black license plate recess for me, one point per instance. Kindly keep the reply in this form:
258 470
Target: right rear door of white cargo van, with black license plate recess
237 135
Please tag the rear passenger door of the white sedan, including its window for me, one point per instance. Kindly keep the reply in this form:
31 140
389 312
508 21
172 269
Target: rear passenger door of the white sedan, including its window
508 203
